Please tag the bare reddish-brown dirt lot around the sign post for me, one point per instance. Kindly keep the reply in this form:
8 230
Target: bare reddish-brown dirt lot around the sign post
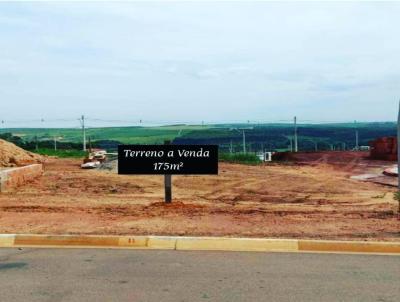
312 199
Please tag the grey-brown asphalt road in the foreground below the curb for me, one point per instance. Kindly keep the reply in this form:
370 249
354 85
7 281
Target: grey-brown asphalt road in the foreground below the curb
133 275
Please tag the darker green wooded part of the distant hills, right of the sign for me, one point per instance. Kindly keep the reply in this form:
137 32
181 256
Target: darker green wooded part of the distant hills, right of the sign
278 136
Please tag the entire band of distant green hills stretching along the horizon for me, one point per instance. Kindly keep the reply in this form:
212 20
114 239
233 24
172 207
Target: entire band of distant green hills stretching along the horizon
258 136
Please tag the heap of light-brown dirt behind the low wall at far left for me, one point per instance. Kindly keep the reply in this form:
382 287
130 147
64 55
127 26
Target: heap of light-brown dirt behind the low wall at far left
13 156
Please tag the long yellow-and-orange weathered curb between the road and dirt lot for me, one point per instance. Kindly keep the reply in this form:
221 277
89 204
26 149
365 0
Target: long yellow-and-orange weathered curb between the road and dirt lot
198 243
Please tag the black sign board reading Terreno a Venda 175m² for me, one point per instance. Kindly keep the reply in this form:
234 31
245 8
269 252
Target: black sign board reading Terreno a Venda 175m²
167 159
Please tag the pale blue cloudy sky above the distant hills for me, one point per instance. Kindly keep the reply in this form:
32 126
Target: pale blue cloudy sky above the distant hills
199 61
